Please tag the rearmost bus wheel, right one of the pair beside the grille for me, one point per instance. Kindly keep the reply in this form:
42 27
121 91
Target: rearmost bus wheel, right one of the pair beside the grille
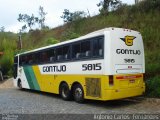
78 93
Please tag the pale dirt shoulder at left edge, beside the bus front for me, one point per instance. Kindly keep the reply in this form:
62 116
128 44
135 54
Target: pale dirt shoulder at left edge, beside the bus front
6 84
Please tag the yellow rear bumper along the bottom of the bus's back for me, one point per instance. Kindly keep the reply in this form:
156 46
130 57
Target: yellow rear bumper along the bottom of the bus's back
122 93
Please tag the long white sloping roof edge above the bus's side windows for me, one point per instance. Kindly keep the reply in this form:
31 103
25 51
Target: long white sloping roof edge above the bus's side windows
89 35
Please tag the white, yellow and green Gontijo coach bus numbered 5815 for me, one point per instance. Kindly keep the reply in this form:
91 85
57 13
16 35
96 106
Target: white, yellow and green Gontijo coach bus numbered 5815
107 64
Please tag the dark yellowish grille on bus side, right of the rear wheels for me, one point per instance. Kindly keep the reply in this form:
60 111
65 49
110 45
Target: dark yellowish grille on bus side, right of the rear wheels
93 87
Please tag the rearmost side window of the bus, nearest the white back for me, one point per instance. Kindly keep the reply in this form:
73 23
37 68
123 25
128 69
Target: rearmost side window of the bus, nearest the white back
98 47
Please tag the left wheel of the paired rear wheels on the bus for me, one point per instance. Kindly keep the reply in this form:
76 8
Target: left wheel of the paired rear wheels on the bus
65 92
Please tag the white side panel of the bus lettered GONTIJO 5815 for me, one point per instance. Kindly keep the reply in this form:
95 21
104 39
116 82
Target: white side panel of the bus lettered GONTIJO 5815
72 68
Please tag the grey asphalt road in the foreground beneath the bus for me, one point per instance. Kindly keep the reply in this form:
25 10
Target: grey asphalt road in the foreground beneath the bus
15 101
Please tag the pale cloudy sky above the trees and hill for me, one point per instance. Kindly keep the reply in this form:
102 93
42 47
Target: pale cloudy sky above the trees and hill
10 9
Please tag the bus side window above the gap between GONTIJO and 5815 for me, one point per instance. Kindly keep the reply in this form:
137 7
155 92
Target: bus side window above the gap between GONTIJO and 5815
76 51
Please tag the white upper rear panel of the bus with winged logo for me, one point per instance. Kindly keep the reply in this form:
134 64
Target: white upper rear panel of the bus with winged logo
123 58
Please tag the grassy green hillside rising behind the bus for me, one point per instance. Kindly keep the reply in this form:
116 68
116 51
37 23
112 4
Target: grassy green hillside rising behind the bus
143 17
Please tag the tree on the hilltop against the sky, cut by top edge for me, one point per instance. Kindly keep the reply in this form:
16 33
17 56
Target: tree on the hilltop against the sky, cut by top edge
107 5
